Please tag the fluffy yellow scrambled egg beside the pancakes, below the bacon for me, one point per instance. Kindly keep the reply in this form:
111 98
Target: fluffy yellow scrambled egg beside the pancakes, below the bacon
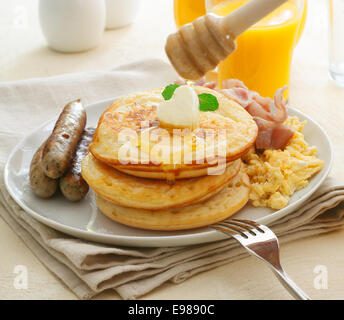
275 174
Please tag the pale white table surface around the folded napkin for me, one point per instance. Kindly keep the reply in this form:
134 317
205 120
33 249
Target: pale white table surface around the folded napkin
24 54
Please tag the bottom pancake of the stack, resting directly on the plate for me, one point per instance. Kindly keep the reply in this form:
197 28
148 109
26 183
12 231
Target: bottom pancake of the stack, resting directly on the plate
221 206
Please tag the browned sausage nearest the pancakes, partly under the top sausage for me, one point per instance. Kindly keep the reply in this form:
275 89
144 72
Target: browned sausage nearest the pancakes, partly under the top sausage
72 185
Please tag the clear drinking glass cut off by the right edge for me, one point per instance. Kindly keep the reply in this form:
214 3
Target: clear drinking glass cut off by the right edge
336 40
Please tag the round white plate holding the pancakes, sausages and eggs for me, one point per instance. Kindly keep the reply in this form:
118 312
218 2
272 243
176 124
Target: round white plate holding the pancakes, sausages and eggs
83 219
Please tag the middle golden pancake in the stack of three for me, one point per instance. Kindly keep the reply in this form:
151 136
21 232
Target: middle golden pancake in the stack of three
129 191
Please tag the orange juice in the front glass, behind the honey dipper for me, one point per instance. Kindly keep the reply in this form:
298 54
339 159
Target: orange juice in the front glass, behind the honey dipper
264 52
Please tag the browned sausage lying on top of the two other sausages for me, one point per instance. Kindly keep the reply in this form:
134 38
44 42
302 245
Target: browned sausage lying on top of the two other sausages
62 143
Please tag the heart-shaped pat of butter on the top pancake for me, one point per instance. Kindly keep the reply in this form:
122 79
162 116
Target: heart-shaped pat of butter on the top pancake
181 111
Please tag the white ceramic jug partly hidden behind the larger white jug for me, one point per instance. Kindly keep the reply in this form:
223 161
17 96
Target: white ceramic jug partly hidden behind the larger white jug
120 13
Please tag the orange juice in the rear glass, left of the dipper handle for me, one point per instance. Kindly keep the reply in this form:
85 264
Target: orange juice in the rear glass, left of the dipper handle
186 11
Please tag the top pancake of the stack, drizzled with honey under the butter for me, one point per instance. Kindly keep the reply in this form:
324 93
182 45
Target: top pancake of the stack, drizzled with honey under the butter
129 137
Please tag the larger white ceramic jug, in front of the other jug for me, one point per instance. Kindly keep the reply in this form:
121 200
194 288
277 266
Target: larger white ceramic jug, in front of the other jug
72 25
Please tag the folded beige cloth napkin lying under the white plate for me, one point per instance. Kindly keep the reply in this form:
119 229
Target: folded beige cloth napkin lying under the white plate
88 268
